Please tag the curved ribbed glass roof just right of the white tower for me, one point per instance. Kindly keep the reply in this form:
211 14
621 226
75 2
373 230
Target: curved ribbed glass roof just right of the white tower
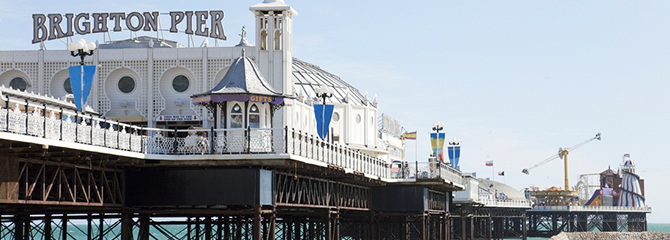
307 77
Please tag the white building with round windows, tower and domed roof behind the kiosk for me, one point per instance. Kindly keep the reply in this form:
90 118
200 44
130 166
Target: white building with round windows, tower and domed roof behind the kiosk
146 85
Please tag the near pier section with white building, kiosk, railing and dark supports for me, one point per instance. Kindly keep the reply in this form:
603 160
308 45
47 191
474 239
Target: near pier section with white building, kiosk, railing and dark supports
206 142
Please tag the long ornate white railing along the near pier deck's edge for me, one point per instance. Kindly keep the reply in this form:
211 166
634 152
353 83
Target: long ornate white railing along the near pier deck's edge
71 126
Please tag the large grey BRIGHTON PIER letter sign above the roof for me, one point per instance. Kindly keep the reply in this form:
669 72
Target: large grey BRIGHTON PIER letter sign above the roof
49 27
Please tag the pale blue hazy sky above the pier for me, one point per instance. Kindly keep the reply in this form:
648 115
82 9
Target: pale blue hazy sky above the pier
513 80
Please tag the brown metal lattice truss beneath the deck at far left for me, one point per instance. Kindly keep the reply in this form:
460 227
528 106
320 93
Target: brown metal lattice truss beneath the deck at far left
33 181
